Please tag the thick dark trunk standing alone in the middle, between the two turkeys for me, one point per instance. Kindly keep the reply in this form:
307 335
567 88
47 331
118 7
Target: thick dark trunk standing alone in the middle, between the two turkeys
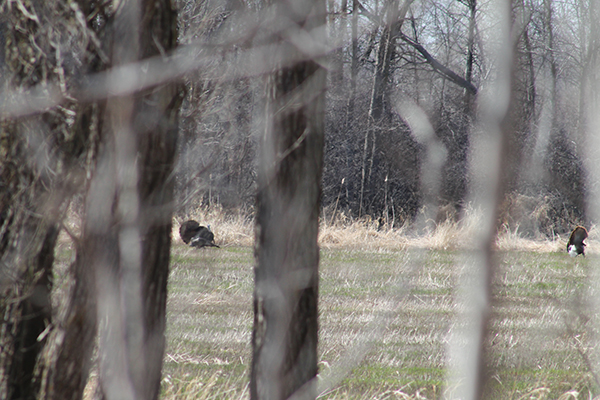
284 336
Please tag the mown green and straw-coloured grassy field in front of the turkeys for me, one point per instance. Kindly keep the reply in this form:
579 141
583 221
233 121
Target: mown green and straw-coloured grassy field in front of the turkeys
386 317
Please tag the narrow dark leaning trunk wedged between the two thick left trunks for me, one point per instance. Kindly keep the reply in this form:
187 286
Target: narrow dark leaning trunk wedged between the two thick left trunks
65 362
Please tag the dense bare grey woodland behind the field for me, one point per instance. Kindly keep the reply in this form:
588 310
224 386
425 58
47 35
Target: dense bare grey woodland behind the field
437 56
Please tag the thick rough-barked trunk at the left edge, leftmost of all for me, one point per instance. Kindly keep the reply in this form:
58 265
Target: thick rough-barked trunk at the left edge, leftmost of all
42 164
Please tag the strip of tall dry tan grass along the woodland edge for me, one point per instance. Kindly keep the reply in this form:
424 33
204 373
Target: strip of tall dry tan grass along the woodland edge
237 229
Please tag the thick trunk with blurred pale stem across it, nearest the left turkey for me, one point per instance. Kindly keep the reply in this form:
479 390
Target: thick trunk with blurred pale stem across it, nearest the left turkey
133 191
